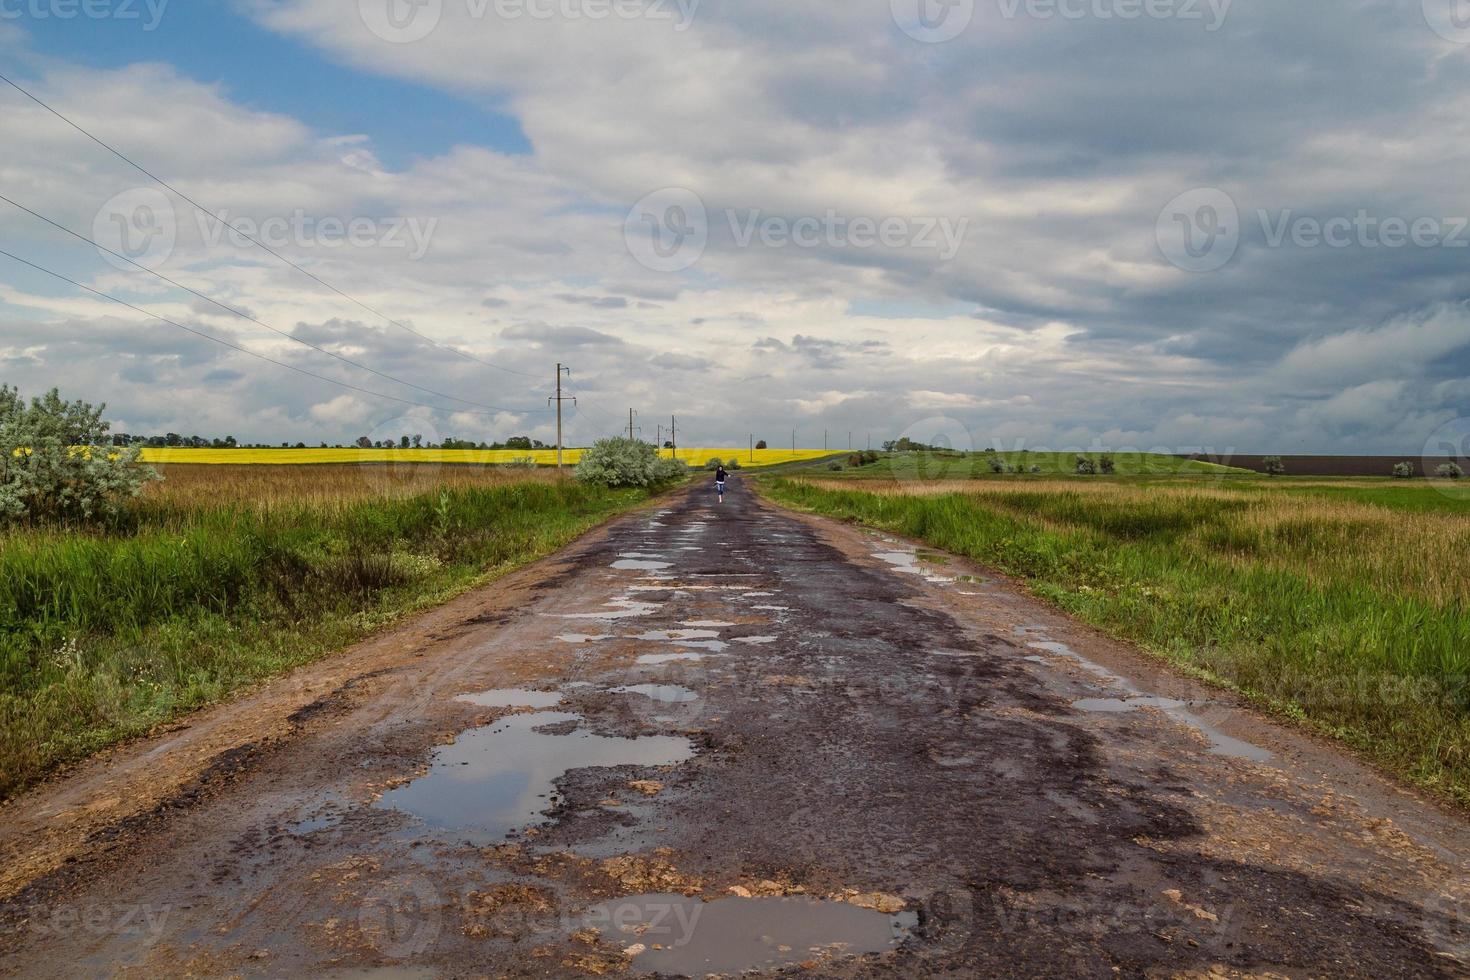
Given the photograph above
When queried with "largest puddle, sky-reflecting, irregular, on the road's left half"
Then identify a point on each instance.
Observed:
(498, 779)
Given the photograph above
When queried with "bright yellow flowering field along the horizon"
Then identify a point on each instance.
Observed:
(481, 458)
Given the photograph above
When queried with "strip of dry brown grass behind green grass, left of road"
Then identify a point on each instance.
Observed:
(268, 487)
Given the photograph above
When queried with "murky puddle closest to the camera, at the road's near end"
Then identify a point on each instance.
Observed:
(684, 937)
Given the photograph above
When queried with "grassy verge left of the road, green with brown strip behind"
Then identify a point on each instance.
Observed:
(221, 577)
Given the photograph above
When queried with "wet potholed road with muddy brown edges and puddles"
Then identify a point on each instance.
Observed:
(727, 738)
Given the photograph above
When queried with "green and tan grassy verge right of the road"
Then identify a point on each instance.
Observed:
(1341, 605)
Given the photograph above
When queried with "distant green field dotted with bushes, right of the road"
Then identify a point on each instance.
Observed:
(955, 466)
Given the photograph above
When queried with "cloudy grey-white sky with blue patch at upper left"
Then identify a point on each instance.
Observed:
(1178, 226)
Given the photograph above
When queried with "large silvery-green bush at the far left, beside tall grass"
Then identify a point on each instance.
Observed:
(54, 465)
